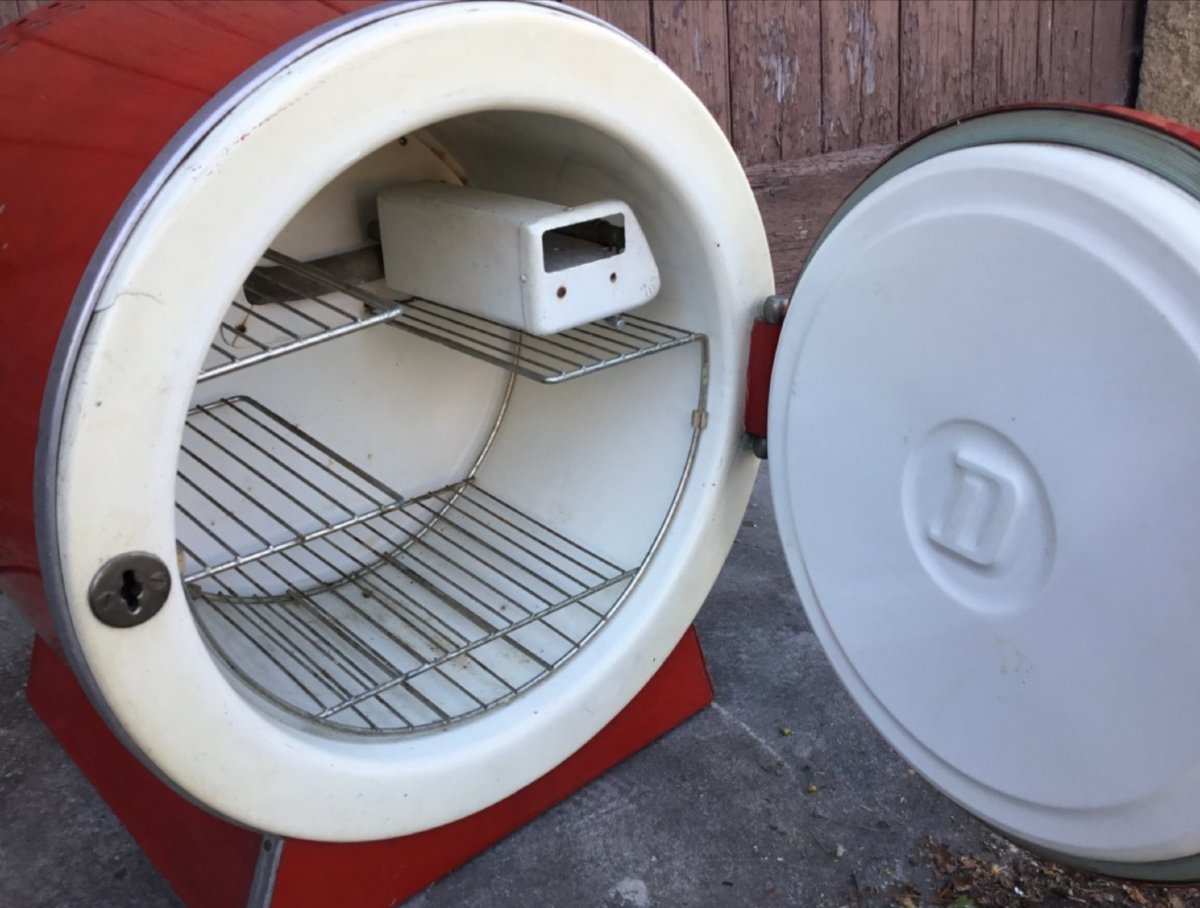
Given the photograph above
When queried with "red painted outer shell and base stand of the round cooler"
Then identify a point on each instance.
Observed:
(92, 93)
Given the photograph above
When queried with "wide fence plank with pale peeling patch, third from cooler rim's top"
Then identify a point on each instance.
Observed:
(775, 79)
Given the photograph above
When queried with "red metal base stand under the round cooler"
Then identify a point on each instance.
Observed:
(213, 864)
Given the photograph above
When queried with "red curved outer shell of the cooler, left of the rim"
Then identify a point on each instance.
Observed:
(91, 93)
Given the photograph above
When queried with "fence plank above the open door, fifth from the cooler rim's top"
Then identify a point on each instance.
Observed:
(935, 63)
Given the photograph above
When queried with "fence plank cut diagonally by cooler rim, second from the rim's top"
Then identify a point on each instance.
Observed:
(692, 38)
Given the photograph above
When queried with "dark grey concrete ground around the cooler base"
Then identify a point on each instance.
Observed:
(719, 813)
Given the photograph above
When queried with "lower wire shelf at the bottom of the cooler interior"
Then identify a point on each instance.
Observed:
(349, 606)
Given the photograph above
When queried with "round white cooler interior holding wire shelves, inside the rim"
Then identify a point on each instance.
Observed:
(394, 514)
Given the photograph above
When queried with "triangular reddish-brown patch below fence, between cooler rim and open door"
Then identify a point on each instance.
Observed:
(796, 200)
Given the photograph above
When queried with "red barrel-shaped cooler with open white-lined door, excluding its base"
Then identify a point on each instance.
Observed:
(394, 430)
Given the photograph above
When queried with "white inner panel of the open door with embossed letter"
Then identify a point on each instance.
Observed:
(986, 449)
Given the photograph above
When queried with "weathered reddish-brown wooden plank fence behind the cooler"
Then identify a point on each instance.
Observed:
(814, 93)
